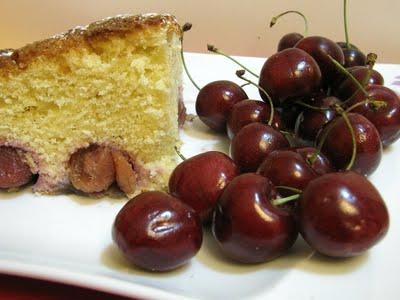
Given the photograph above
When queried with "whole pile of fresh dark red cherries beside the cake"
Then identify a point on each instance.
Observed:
(299, 163)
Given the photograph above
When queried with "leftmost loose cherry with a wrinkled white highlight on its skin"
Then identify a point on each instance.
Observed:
(157, 232)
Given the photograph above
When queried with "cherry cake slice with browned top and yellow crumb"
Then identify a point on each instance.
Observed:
(95, 106)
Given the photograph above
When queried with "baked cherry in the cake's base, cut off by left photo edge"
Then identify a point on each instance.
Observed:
(14, 170)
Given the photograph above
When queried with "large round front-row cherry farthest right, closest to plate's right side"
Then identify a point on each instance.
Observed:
(342, 214)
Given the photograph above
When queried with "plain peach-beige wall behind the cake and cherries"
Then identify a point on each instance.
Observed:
(236, 26)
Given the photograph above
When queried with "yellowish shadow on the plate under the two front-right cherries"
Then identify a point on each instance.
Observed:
(300, 257)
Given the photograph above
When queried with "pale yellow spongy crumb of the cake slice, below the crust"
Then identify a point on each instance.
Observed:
(119, 90)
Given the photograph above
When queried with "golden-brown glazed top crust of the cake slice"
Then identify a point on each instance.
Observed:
(12, 60)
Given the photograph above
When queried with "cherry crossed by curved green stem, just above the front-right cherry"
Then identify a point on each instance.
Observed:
(338, 146)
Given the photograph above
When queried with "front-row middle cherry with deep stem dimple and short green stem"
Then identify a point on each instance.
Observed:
(247, 227)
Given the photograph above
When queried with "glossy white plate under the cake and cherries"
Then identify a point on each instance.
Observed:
(67, 238)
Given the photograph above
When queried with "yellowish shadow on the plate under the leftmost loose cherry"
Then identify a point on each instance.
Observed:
(112, 258)
